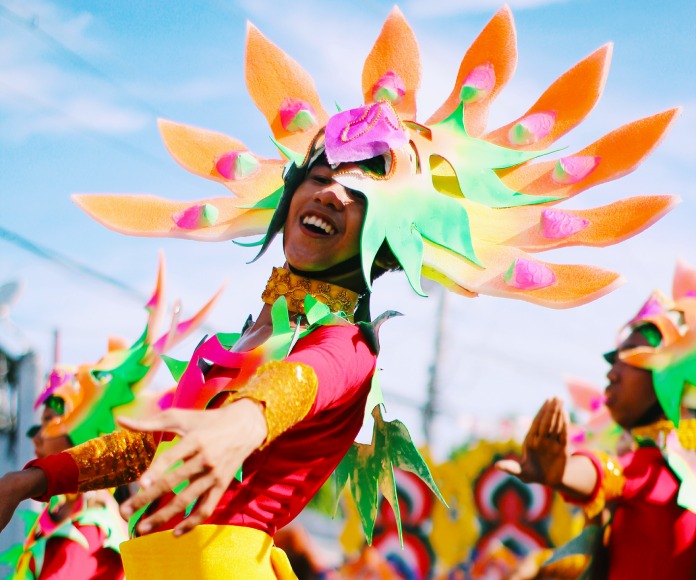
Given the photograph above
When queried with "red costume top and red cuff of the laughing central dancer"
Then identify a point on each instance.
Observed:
(280, 479)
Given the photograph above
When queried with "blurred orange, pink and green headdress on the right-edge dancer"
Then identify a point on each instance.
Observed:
(672, 358)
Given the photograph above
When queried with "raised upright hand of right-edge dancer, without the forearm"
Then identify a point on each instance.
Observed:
(545, 451)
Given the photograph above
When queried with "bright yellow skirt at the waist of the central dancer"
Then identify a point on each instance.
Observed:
(206, 552)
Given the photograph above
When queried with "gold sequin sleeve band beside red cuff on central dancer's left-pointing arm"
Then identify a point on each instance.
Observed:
(113, 460)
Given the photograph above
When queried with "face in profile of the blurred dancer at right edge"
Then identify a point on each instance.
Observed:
(630, 393)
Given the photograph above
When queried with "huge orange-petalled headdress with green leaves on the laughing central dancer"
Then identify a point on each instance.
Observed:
(459, 204)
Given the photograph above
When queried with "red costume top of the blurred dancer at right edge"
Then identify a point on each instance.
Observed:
(651, 536)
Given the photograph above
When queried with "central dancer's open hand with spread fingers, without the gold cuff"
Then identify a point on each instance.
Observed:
(213, 446)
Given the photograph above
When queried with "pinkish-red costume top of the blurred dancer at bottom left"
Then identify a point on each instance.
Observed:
(67, 560)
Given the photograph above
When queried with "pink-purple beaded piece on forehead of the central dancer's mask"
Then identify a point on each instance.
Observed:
(362, 133)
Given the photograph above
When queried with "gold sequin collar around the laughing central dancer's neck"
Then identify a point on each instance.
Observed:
(295, 288)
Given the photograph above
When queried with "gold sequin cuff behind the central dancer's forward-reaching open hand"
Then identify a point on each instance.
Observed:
(287, 391)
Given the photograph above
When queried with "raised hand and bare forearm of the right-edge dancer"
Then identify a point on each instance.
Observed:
(546, 457)
